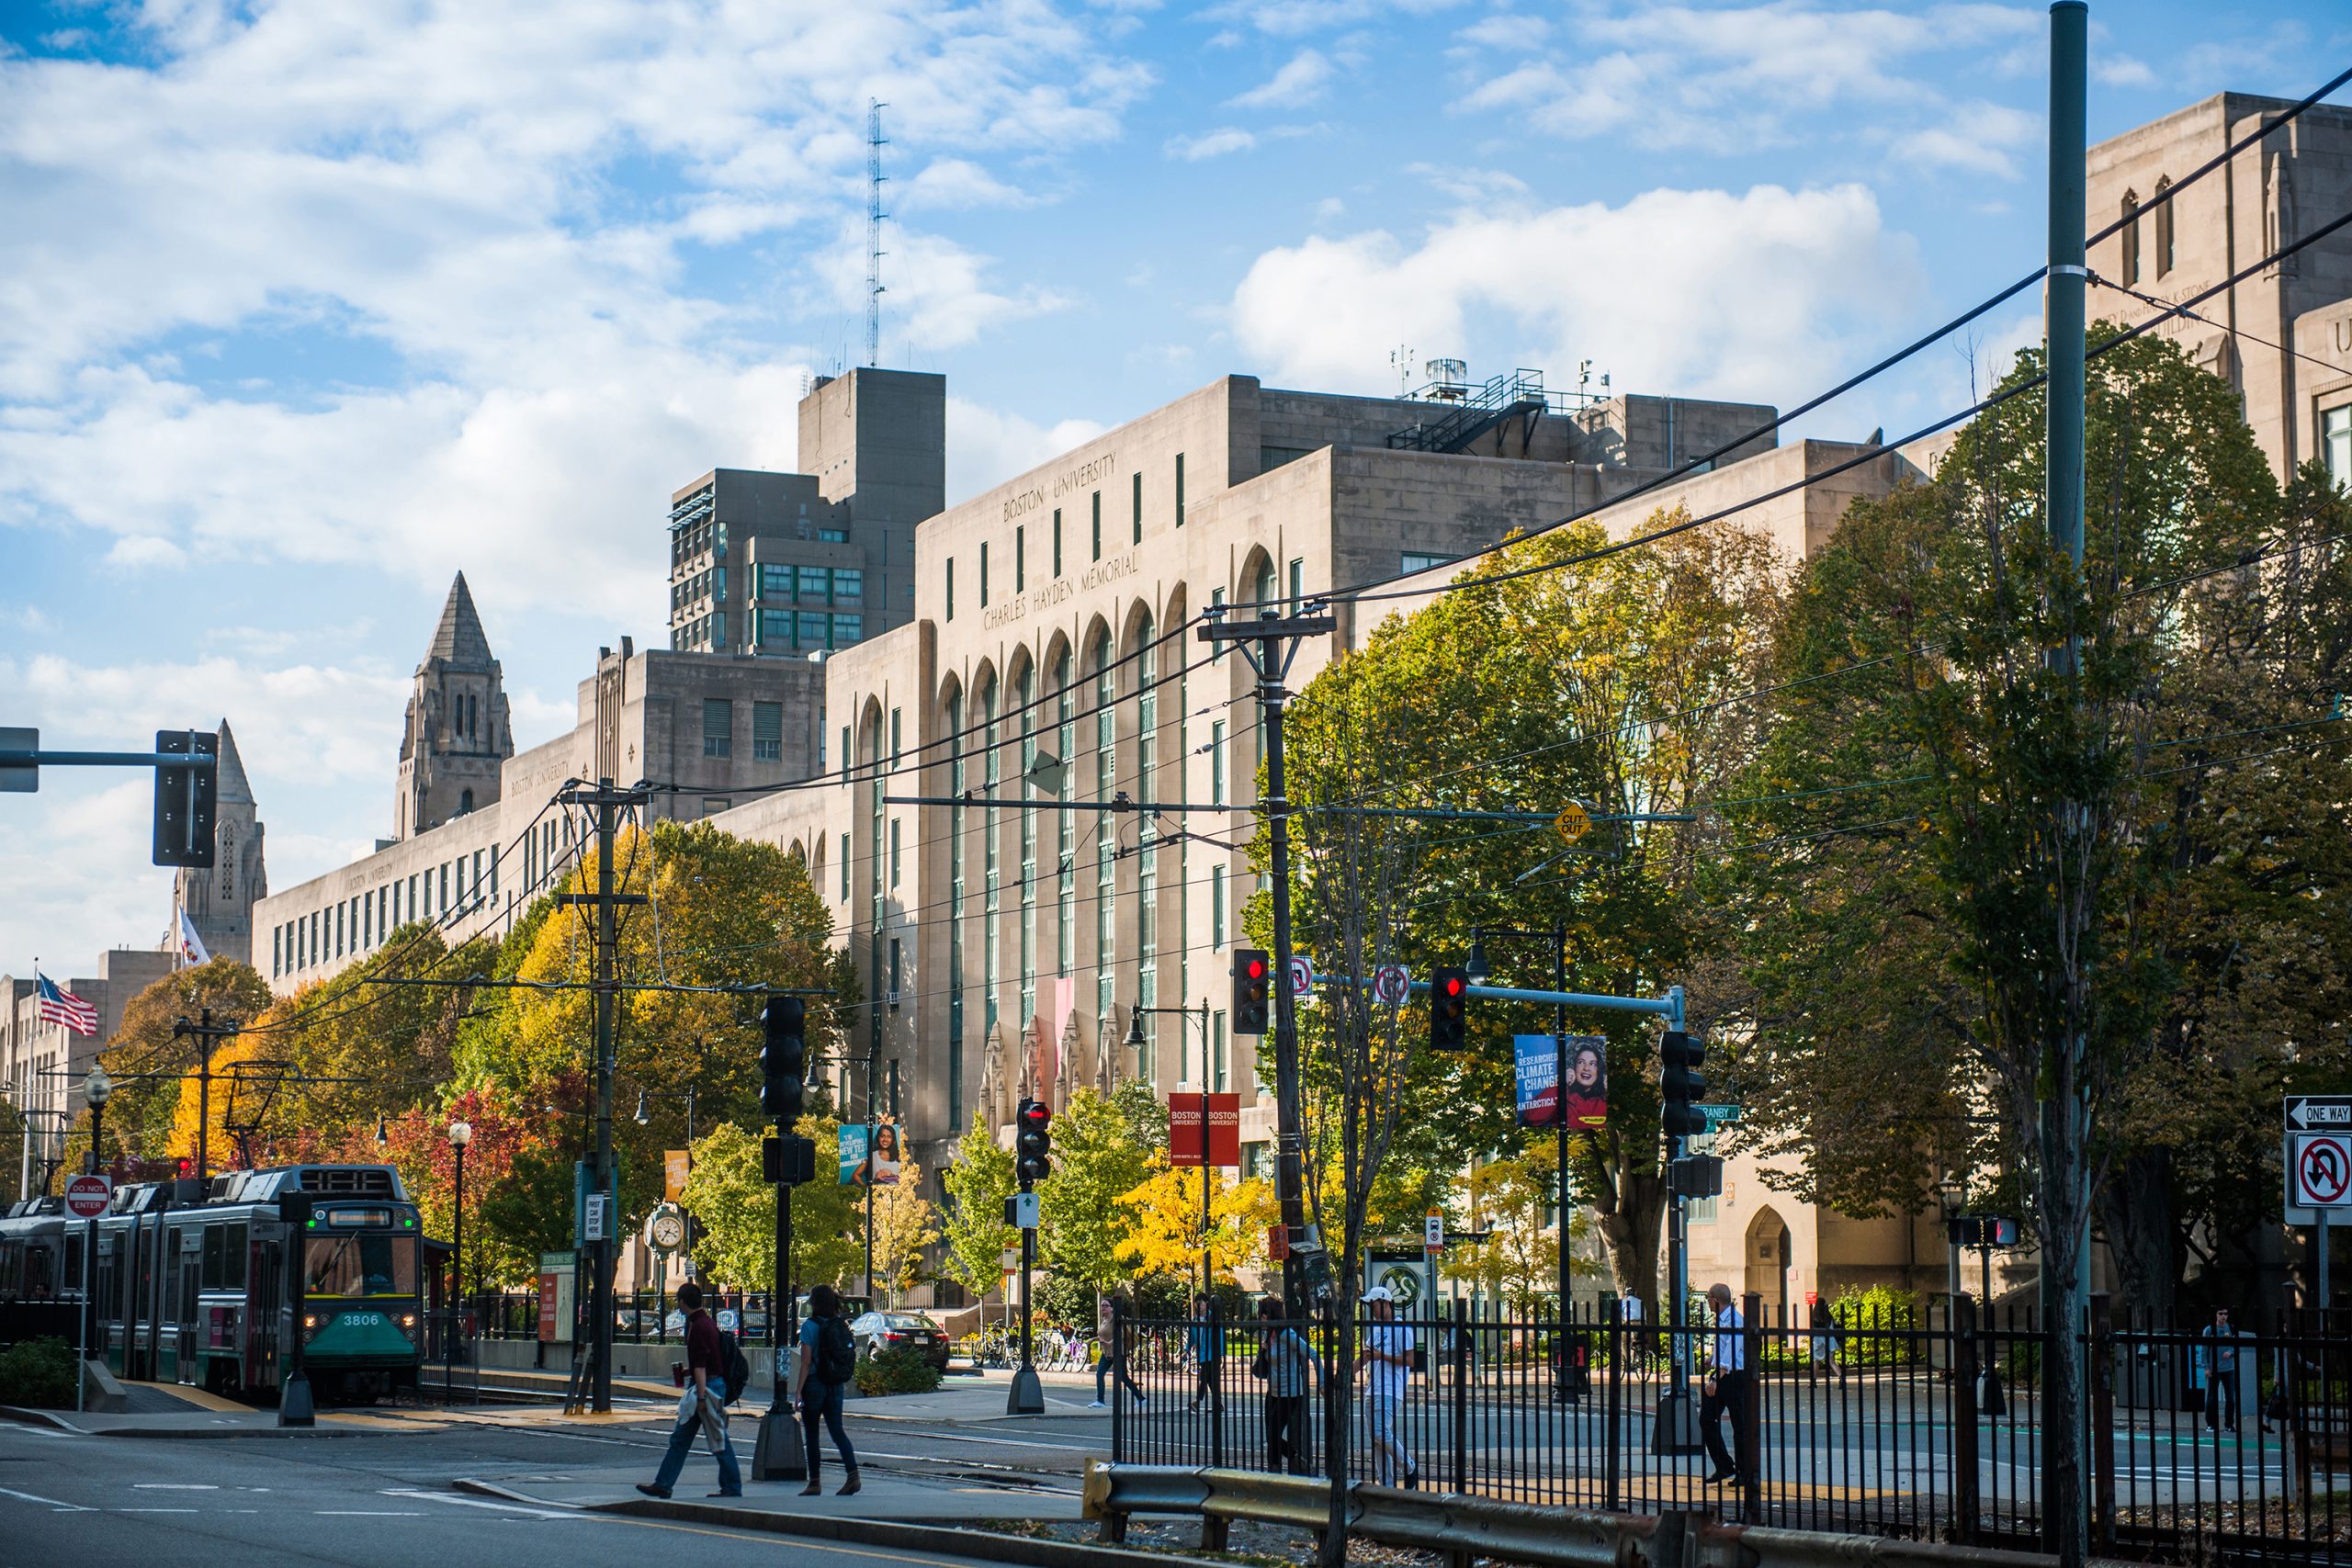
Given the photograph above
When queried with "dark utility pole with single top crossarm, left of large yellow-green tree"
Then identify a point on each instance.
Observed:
(1271, 645)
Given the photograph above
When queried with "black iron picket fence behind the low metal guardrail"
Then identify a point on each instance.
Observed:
(2203, 1447)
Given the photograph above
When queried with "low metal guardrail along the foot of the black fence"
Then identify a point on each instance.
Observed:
(1466, 1527)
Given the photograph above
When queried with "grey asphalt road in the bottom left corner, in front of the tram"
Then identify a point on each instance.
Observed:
(363, 1501)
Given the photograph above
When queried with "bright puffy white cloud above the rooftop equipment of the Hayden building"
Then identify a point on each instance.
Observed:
(1662, 293)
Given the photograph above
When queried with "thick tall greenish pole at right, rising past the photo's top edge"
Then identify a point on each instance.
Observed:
(2064, 1170)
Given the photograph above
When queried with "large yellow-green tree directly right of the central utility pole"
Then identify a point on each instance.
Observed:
(1608, 681)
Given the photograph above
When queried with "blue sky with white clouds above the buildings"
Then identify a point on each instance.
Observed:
(309, 304)
